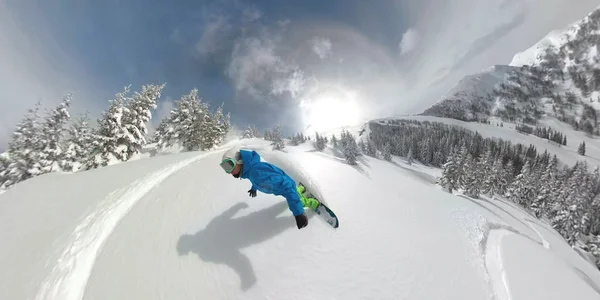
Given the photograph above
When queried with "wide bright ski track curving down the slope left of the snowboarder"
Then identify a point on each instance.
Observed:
(69, 277)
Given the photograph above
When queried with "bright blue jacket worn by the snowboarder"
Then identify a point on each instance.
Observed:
(269, 179)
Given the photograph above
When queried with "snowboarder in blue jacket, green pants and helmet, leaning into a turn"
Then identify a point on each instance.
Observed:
(269, 179)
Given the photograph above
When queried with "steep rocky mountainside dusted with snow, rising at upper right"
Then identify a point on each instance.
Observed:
(559, 77)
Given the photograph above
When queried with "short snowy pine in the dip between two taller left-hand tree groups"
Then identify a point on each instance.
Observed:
(78, 144)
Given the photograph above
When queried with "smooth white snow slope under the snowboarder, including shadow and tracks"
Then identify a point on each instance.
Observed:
(177, 227)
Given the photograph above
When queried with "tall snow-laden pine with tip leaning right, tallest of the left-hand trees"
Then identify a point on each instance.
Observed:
(139, 109)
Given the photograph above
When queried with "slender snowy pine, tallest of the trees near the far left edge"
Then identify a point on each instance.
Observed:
(52, 155)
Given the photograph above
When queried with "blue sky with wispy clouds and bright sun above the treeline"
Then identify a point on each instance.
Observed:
(267, 61)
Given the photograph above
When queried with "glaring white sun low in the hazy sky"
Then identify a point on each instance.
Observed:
(331, 109)
